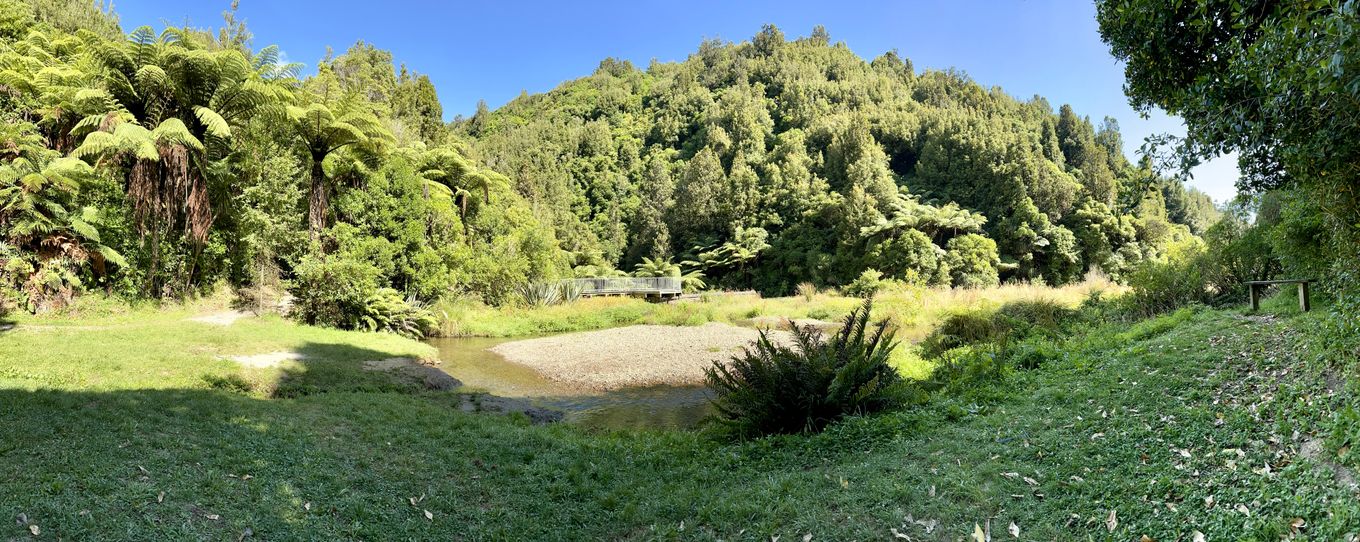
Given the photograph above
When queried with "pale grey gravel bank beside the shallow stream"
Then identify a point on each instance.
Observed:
(633, 357)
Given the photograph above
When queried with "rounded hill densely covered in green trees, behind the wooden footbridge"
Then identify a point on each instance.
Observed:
(773, 162)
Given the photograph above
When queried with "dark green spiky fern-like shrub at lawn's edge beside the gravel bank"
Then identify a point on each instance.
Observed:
(779, 389)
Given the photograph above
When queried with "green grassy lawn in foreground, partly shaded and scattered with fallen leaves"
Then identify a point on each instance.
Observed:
(111, 431)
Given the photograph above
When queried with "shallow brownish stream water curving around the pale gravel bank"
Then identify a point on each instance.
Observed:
(471, 362)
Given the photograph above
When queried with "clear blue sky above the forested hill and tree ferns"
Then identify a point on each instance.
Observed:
(494, 51)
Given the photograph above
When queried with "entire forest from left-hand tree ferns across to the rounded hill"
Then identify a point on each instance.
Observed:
(163, 164)
